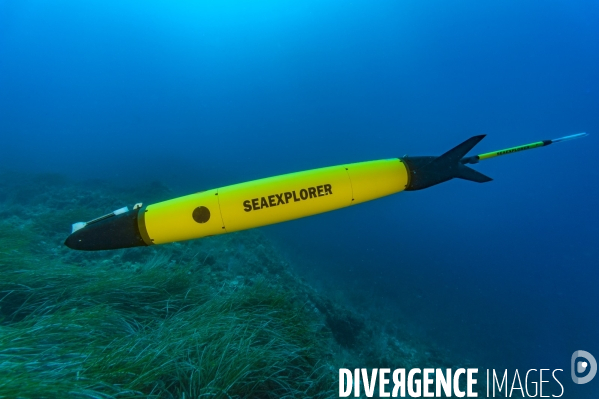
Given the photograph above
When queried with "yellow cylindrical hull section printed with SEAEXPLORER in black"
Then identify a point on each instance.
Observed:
(271, 200)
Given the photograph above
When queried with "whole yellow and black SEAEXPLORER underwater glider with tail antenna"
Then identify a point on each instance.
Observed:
(281, 198)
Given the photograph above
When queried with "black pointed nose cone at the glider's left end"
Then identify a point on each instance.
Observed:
(120, 231)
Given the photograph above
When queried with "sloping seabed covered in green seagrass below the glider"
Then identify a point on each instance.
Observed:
(222, 317)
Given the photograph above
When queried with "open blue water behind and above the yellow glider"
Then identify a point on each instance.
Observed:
(201, 95)
